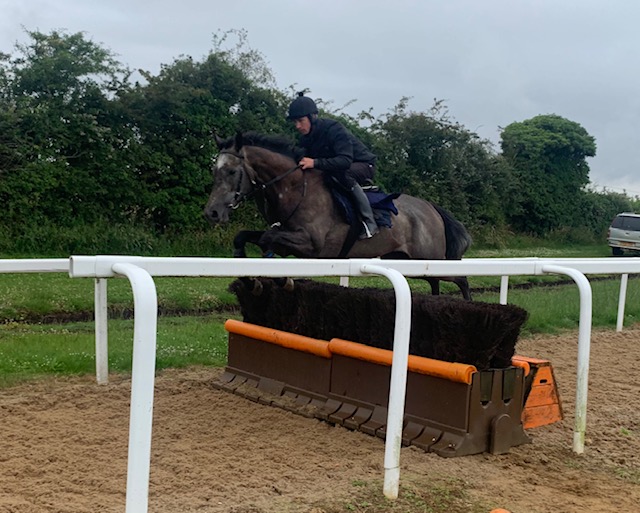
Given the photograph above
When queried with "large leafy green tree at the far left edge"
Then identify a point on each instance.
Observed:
(63, 140)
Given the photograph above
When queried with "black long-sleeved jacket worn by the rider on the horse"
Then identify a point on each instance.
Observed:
(333, 147)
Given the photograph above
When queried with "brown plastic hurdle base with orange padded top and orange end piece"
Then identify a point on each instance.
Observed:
(451, 409)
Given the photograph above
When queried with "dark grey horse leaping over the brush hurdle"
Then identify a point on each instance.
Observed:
(305, 220)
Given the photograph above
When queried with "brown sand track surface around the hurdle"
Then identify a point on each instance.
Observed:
(64, 446)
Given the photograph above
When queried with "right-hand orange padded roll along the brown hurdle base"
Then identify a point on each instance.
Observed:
(459, 372)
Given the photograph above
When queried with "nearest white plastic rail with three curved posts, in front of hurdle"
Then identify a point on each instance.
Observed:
(142, 389)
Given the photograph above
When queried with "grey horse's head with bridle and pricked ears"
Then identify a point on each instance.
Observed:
(231, 182)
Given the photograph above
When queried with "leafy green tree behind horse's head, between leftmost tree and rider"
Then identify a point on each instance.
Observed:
(174, 115)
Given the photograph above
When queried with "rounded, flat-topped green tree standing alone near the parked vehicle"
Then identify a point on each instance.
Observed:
(548, 155)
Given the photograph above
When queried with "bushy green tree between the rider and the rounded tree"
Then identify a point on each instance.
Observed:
(430, 156)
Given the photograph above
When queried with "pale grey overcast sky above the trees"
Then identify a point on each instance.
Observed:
(494, 62)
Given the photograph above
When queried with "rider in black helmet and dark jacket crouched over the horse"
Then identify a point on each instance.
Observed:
(331, 148)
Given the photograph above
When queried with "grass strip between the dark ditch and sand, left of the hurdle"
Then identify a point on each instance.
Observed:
(28, 351)
